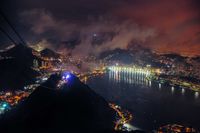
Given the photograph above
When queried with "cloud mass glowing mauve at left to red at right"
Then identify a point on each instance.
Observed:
(161, 26)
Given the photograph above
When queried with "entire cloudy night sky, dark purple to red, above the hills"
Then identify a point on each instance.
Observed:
(92, 26)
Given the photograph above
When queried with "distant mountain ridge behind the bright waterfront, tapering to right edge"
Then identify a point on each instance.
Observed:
(142, 56)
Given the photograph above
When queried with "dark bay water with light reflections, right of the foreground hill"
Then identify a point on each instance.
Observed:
(152, 104)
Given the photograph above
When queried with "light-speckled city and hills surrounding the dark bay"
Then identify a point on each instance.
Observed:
(172, 69)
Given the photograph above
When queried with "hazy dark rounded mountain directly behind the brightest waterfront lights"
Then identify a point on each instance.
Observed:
(134, 54)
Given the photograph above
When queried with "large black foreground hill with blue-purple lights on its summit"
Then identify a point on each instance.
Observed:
(73, 109)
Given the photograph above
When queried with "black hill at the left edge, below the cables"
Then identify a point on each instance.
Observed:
(16, 71)
